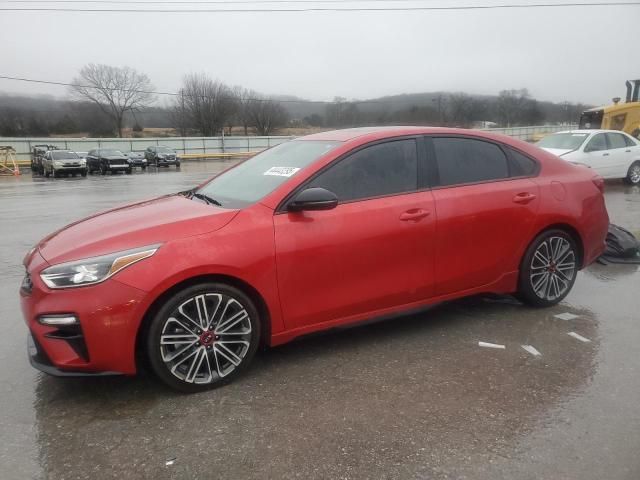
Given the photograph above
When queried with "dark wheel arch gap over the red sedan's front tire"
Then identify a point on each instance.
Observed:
(242, 285)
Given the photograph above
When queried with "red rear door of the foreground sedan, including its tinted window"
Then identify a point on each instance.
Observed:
(486, 203)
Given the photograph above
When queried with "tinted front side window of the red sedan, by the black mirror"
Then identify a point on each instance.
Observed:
(383, 169)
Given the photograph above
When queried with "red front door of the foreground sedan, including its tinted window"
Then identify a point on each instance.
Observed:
(371, 253)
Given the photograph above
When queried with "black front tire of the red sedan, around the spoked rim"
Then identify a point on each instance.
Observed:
(164, 318)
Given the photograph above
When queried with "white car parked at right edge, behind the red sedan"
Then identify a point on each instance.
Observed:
(611, 153)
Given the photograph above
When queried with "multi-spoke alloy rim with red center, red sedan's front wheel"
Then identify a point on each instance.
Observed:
(205, 338)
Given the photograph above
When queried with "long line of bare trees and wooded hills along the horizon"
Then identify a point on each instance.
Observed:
(105, 99)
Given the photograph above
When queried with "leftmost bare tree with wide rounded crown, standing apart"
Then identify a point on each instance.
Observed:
(116, 90)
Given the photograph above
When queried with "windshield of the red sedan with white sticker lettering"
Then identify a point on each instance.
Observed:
(260, 175)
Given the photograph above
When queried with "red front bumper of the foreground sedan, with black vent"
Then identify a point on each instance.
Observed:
(109, 314)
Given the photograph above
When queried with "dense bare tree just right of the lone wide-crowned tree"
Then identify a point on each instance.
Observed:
(210, 103)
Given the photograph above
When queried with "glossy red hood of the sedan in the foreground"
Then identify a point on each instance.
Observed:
(136, 225)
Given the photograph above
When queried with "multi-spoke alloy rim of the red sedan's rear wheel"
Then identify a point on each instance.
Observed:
(553, 267)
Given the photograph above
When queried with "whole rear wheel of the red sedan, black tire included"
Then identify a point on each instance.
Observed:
(544, 286)
